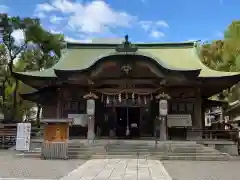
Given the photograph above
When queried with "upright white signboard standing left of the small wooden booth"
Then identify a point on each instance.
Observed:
(23, 136)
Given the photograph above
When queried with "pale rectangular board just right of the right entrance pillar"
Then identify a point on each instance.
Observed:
(179, 120)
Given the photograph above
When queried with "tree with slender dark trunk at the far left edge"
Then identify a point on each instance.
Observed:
(9, 25)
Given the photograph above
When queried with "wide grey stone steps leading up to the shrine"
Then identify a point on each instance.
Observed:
(117, 149)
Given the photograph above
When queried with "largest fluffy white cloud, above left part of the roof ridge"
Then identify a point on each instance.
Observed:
(94, 17)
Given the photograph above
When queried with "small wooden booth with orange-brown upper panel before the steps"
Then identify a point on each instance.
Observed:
(56, 134)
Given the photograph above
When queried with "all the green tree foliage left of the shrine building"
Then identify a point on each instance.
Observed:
(37, 51)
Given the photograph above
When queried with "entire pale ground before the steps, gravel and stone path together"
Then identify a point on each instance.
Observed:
(15, 168)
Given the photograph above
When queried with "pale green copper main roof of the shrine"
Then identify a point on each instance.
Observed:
(173, 56)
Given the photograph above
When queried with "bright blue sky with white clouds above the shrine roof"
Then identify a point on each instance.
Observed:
(142, 20)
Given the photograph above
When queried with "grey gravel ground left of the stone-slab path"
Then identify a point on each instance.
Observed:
(16, 167)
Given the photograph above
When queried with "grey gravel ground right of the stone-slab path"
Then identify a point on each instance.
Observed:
(203, 170)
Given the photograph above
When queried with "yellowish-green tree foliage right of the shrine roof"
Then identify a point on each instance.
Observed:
(224, 55)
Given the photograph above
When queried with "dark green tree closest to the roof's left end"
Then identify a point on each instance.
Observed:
(44, 53)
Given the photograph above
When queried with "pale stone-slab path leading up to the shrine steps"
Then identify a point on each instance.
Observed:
(119, 169)
